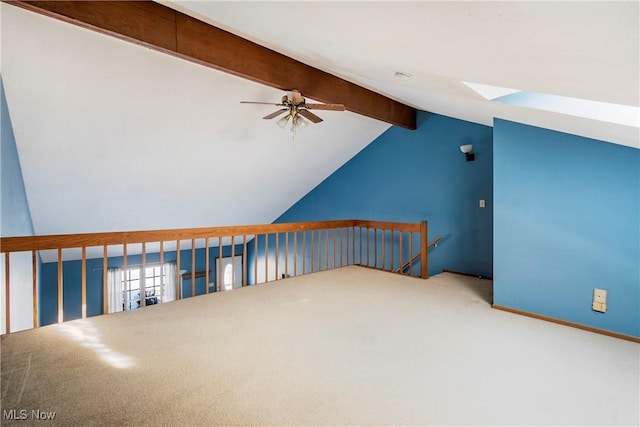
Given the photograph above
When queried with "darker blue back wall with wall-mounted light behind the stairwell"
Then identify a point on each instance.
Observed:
(409, 176)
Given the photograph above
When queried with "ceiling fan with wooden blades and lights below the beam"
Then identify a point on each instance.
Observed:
(297, 110)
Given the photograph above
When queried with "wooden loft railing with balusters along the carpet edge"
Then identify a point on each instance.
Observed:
(269, 252)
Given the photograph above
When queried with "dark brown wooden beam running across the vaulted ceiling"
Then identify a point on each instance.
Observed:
(161, 28)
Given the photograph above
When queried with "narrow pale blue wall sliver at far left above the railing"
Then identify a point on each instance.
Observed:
(15, 216)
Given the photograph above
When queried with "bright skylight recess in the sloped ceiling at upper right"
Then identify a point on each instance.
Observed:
(603, 111)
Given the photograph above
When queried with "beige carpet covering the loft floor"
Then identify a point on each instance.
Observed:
(351, 346)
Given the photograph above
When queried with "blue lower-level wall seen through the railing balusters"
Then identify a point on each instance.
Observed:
(72, 280)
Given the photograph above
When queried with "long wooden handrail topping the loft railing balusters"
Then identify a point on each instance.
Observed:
(67, 241)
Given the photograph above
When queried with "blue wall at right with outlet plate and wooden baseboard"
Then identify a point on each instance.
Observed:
(566, 221)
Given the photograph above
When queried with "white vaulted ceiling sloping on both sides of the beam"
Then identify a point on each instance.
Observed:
(114, 136)
